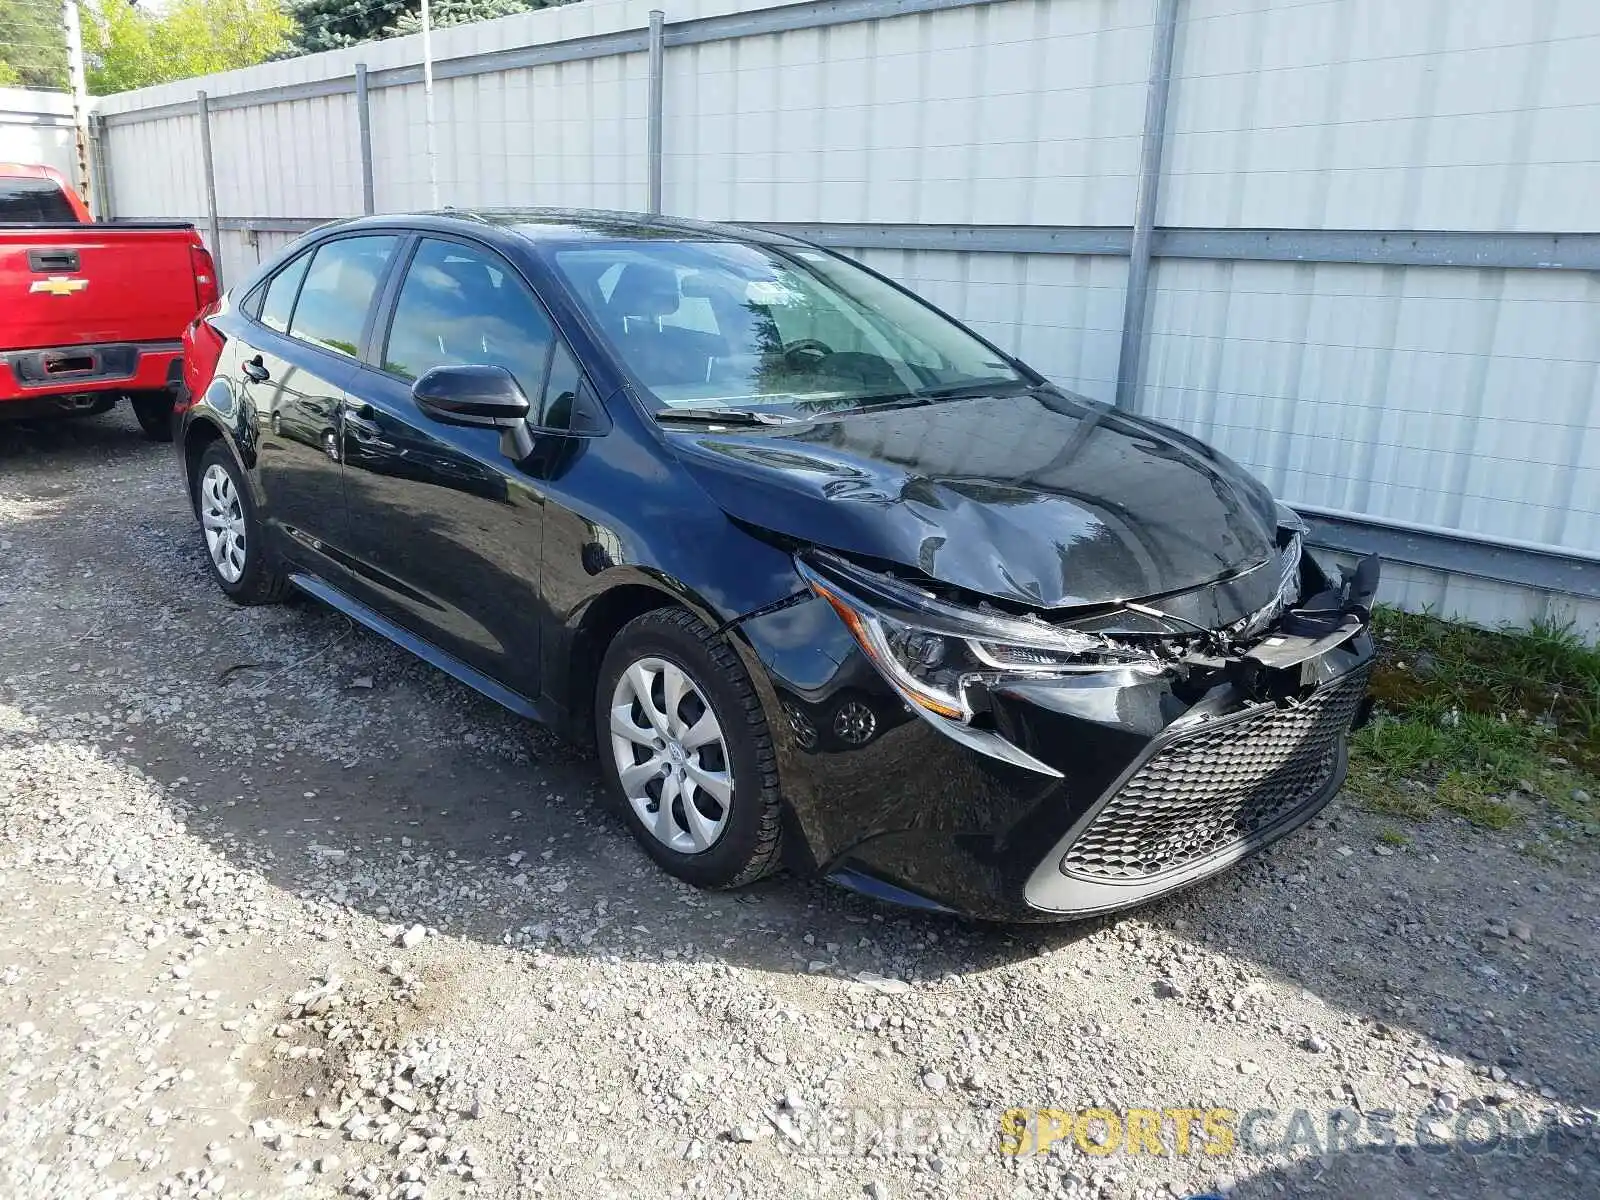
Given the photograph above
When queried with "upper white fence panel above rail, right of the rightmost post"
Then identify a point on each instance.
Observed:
(1386, 114)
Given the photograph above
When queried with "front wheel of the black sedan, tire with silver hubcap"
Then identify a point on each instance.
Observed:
(686, 751)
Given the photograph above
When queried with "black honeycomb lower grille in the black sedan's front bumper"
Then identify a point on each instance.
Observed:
(1215, 788)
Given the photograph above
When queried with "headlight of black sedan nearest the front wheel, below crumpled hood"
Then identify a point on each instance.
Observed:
(937, 655)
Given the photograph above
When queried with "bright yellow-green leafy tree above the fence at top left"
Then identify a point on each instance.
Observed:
(129, 47)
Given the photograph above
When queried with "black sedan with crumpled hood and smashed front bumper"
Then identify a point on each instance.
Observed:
(826, 578)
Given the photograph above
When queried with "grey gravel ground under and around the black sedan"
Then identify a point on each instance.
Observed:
(286, 913)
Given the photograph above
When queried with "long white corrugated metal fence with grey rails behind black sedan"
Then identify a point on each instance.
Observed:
(1362, 238)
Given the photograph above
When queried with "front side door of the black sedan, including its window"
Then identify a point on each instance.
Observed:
(446, 530)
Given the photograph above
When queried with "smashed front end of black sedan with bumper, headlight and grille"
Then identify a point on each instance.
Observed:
(1106, 756)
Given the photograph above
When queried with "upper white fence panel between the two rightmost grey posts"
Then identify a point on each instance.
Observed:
(998, 114)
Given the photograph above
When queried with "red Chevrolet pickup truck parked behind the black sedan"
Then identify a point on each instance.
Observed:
(92, 313)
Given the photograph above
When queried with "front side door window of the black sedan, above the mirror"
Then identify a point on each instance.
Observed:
(465, 306)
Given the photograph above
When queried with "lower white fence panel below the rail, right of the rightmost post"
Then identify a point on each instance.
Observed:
(1463, 399)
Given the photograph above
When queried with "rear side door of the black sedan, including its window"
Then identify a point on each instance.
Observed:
(295, 361)
